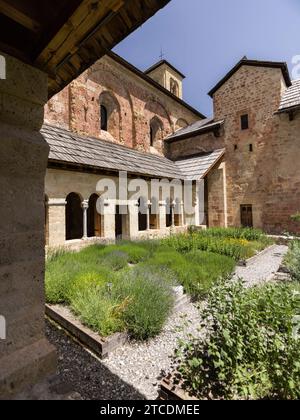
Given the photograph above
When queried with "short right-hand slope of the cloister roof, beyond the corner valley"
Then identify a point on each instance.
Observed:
(197, 167)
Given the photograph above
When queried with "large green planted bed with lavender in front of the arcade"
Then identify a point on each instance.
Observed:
(130, 286)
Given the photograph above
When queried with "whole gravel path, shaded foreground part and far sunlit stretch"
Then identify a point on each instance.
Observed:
(135, 370)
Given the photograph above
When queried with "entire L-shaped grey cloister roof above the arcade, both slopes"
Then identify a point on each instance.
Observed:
(70, 148)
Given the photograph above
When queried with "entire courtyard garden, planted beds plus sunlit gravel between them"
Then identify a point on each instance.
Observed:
(243, 343)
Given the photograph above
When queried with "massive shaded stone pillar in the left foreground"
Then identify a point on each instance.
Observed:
(25, 355)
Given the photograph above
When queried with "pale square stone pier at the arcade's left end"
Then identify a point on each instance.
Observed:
(57, 221)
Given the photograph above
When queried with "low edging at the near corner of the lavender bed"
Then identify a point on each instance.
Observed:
(102, 347)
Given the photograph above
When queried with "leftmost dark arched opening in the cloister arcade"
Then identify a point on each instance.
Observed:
(74, 217)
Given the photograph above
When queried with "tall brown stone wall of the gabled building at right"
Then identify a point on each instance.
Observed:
(267, 177)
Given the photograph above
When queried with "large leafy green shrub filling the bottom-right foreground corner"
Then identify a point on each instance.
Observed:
(250, 351)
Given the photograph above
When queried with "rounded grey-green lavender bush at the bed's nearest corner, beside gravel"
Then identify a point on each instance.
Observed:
(150, 301)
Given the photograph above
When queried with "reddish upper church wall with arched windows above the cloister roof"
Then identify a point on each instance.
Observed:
(134, 100)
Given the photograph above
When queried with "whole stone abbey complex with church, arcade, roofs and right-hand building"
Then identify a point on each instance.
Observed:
(116, 118)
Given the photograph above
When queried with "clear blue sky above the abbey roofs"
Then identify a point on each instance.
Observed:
(206, 38)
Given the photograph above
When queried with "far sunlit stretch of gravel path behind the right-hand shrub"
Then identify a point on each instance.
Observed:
(264, 268)
